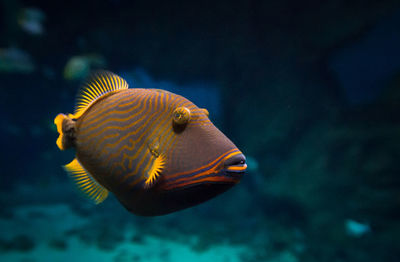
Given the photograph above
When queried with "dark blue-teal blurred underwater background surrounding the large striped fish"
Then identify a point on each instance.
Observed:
(308, 90)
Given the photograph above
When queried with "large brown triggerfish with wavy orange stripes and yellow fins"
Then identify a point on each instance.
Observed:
(154, 150)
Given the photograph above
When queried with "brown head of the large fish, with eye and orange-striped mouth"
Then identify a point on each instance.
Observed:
(201, 158)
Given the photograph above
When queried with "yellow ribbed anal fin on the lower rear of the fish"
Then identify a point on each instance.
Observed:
(85, 182)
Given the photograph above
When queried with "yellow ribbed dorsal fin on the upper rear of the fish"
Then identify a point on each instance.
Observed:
(97, 85)
